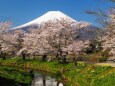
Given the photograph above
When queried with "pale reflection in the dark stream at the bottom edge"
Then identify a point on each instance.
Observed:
(42, 80)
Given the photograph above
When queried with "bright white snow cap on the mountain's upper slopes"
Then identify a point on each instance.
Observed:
(49, 16)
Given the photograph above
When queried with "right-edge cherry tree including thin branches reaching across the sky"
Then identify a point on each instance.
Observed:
(107, 20)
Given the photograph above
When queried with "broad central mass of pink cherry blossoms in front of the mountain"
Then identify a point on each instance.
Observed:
(54, 38)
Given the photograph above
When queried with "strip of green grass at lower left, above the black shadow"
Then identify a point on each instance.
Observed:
(19, 76)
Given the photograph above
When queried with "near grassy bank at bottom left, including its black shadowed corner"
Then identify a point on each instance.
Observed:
(14, 77)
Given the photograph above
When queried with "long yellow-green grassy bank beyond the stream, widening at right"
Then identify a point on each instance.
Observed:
(82, 75)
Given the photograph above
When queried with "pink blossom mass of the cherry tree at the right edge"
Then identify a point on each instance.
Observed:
(109, 38)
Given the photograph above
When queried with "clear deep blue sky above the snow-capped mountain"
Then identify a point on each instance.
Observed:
(23, 11)
